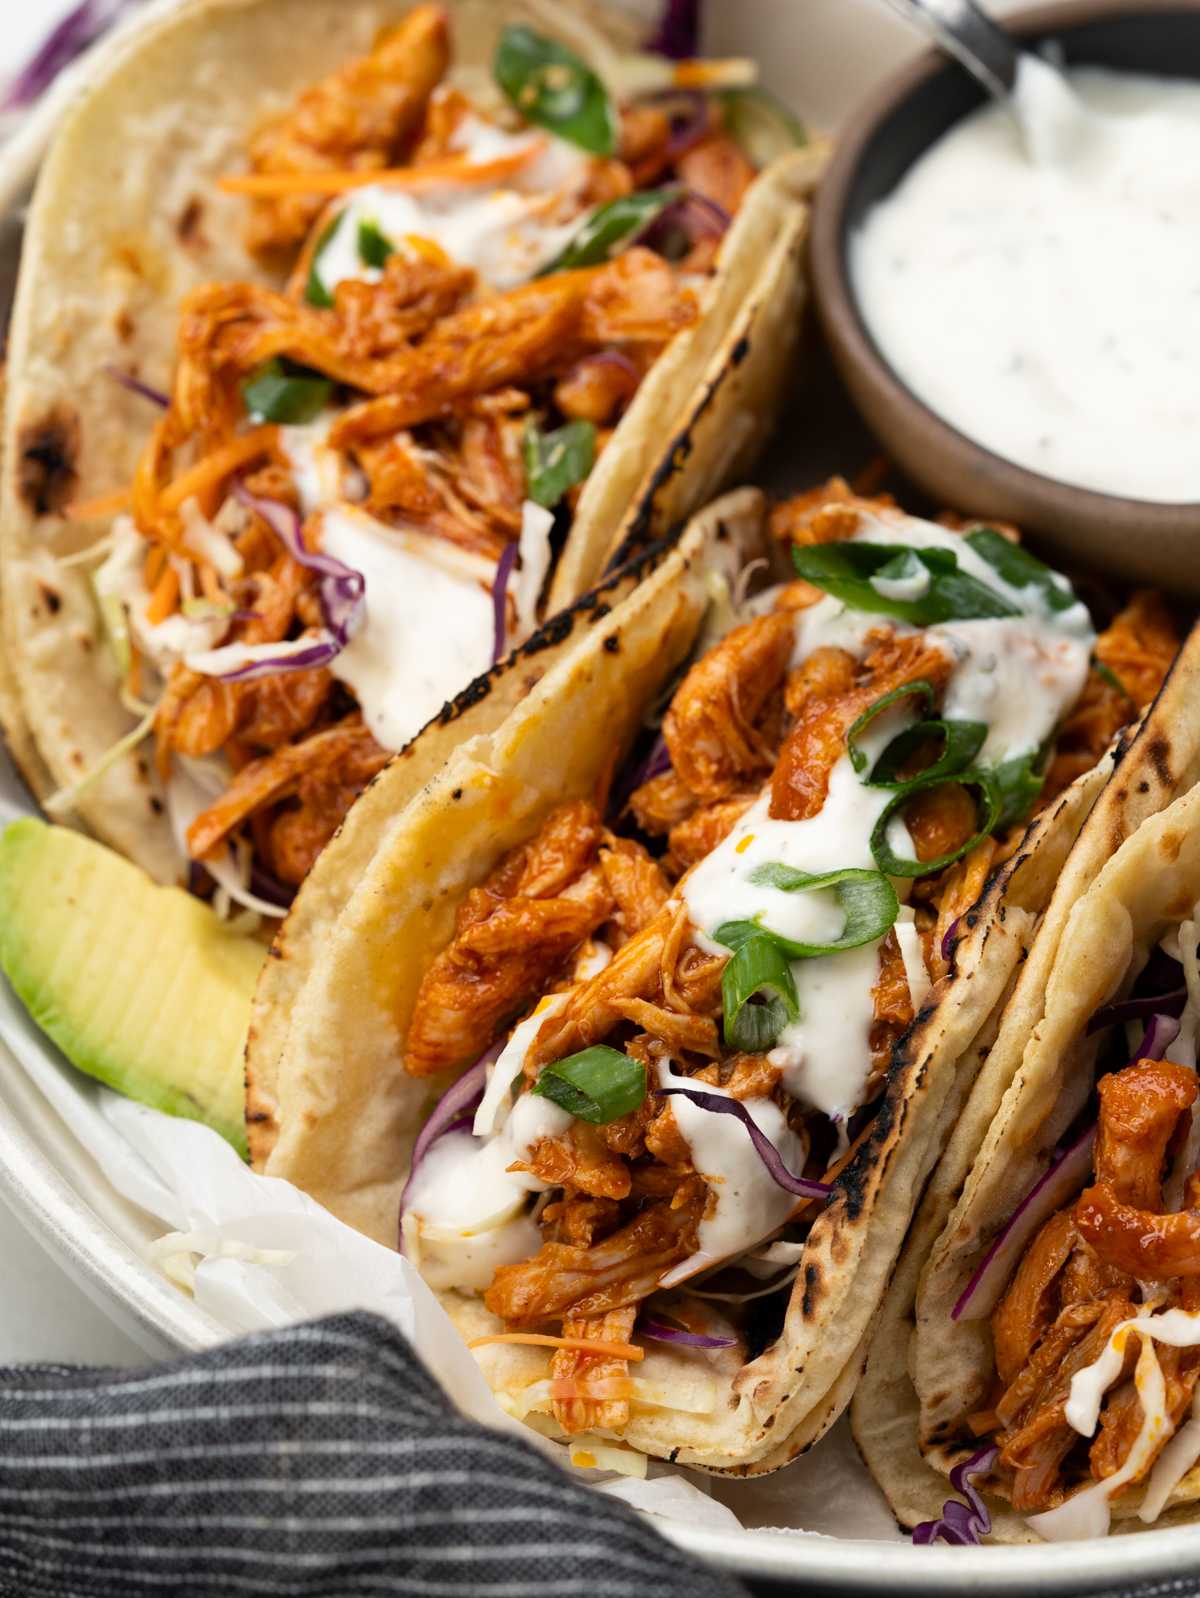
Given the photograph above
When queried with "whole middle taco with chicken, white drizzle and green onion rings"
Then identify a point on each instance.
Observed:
(667, 1202)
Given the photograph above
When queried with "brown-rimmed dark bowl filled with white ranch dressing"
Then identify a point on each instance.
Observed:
(1012, 292)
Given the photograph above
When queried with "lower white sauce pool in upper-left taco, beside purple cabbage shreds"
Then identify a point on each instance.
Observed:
(429, 626)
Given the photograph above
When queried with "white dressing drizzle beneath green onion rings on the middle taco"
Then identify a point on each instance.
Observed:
(1017, 675)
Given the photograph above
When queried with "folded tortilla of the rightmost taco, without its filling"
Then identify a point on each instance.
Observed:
(1111, 899)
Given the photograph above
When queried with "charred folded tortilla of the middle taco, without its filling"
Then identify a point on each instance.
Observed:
(341, 1115)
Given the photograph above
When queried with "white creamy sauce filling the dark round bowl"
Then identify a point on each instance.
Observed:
(1039, 287)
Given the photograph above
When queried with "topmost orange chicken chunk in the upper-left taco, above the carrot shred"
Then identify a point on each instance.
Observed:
(356, 119)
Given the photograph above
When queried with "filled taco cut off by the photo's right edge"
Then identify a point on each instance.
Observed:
(999, 1294)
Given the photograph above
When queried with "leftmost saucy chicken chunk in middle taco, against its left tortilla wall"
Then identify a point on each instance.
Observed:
(514, 936)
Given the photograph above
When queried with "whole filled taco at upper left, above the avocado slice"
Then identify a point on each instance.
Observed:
(495, 290)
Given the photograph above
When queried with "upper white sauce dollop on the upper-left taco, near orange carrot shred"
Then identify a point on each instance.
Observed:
(507, 231)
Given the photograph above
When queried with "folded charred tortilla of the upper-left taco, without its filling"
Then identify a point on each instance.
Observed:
(127, 220)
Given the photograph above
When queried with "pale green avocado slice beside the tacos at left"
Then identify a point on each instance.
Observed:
(138, 985)
